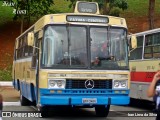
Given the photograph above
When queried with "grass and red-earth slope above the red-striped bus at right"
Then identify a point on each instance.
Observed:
(137, 15)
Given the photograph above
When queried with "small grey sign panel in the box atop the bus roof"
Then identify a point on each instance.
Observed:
(86, 7)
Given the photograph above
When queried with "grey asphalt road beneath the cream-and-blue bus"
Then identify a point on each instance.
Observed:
(116, 113)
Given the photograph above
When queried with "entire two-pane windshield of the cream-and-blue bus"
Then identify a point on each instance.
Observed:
(69, 46)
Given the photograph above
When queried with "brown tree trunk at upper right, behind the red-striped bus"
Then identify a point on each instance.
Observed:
(151, 13)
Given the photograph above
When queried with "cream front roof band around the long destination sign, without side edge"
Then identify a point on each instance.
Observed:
(61, 18)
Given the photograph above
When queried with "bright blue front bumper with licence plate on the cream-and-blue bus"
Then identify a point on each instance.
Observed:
(84, 100)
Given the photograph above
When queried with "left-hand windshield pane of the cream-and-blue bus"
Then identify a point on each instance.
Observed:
(65, 46)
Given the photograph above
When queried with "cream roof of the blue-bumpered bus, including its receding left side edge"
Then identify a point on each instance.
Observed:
(62, 19)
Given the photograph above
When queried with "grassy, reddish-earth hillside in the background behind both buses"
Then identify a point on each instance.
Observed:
(135, 15)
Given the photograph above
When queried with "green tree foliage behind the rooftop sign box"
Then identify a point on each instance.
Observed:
(107, 7)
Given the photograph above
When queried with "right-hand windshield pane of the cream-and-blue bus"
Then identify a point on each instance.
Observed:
(108, 48)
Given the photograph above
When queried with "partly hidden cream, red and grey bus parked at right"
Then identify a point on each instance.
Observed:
(144, 62)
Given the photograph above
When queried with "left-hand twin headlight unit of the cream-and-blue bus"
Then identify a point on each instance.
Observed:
(56, 83)
